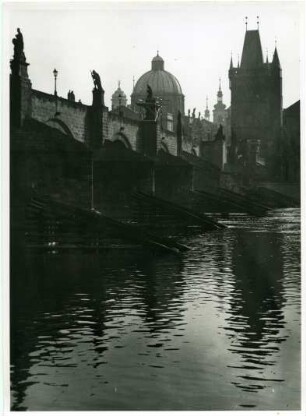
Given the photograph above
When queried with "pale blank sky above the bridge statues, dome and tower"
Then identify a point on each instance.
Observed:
(119, 40)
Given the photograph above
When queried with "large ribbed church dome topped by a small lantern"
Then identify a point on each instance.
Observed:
(161, 81)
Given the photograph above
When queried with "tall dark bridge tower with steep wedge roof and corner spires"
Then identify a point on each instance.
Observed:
(256, 102)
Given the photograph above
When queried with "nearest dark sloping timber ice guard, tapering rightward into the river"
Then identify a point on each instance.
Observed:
(59, 225)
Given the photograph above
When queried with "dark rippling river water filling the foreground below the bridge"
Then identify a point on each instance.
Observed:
(217, 329)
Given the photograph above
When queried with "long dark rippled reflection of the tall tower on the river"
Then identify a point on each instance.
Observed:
(256, 316)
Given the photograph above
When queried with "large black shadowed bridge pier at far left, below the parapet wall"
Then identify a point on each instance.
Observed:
(47, 162)
